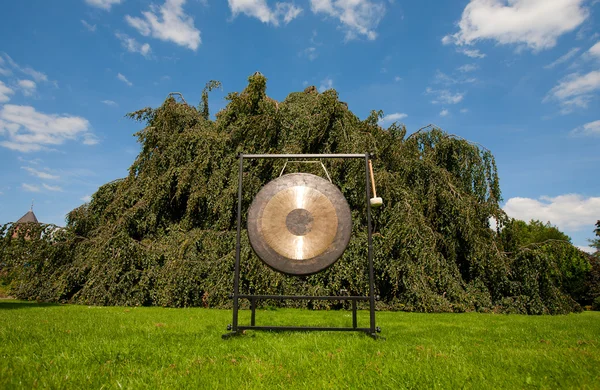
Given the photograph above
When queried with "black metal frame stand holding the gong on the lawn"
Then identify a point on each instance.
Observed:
(236, 329)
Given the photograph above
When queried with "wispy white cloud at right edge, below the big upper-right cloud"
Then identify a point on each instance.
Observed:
(575, 90)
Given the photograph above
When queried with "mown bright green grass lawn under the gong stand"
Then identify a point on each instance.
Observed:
(66, 346)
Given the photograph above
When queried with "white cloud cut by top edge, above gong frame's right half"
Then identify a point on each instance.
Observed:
(357, 17)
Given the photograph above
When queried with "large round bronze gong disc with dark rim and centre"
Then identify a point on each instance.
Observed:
(299, 224)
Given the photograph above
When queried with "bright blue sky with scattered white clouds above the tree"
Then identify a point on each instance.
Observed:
(521, 77)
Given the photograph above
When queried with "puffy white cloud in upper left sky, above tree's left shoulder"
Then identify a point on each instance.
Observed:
(173, 24)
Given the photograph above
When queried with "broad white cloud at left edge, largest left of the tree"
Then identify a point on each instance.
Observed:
(28, 130)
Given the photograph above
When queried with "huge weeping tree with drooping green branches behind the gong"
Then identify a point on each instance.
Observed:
(165, 234)
